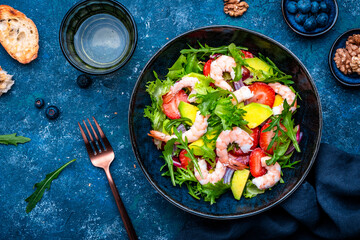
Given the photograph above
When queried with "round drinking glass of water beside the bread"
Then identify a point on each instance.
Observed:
(82, 34)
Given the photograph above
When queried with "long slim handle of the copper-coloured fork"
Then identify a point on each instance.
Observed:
(124, 216)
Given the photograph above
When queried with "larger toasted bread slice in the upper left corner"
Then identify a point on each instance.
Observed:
(18, 35)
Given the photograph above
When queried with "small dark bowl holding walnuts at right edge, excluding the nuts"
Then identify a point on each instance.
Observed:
(351, 80)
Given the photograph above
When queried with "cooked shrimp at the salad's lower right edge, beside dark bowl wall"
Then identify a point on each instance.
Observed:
(272, 176)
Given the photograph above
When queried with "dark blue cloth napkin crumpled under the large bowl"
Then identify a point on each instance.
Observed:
(325, 206)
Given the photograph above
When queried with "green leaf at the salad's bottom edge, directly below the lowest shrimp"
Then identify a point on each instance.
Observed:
(210, 192)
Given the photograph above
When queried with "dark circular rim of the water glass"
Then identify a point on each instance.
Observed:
(108, 71)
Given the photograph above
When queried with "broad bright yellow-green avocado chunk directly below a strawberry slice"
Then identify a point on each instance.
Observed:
(256, 113)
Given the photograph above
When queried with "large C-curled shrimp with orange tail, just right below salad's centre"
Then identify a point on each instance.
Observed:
(226, 137)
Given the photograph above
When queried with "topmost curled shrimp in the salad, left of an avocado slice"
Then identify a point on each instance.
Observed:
(218, 67)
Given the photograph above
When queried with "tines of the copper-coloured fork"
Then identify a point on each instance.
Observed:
(97, 145)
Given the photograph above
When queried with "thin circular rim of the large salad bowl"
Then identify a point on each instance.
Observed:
(163, 193)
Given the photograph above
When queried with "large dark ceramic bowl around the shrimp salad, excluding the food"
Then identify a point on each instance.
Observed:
(309, 117)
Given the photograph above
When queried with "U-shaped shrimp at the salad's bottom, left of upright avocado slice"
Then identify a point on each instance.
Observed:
(213, 177)
